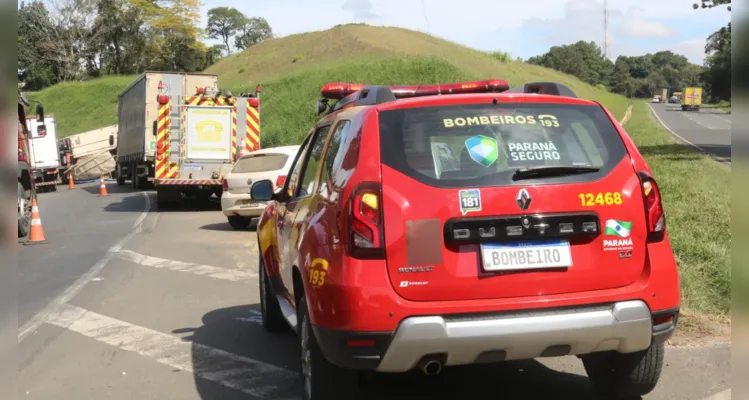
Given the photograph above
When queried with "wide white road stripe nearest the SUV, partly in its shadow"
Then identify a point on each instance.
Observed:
(231, 370)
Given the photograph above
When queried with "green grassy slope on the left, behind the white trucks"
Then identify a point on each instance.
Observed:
(82, 106)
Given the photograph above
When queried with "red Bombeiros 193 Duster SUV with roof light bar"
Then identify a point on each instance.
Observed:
(443, 225)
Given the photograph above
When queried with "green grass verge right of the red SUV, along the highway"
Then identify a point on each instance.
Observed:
(697, 198)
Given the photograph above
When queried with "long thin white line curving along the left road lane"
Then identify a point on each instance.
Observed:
(38, 319)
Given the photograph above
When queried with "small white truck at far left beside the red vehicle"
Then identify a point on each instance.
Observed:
(44, 155)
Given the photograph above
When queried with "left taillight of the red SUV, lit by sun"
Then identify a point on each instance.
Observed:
(366, 239)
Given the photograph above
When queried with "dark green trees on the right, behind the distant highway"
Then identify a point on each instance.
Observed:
(644, 76)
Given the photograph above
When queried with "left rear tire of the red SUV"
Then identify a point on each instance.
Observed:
(321, 380)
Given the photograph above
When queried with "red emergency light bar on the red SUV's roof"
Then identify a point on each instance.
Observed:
(337, 91)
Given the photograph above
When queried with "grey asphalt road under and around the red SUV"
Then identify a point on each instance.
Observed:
(172, 313)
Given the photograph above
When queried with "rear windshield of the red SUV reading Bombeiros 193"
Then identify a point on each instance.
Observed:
(483, 144)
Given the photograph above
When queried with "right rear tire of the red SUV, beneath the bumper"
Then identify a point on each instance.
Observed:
(625, 375)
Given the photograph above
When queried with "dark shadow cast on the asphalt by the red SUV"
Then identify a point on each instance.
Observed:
(237, 330)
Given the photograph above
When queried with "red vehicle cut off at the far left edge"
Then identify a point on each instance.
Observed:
(26, 186)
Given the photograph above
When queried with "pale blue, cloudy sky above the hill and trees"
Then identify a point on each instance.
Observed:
(522, 28)
